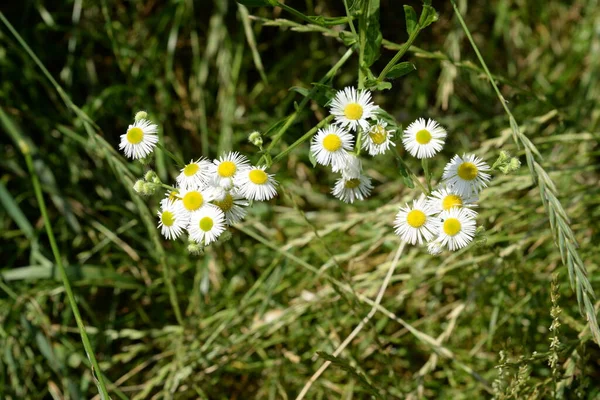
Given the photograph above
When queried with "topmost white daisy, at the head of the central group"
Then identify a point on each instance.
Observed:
(353, 108)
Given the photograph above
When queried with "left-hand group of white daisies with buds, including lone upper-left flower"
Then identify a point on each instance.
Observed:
(208, 195)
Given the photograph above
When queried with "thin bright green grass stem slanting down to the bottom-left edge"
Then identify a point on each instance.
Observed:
(96, 372)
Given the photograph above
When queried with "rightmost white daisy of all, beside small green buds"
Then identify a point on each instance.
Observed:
(467, 175)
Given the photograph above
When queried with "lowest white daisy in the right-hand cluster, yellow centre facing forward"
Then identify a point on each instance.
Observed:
(457, 228)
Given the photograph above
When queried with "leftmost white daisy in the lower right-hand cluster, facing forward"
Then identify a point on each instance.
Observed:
(417, 223)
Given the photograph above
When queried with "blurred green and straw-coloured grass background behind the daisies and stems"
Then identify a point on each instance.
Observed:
(292, 279)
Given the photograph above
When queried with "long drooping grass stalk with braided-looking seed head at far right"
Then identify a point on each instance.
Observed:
(559, 221)
